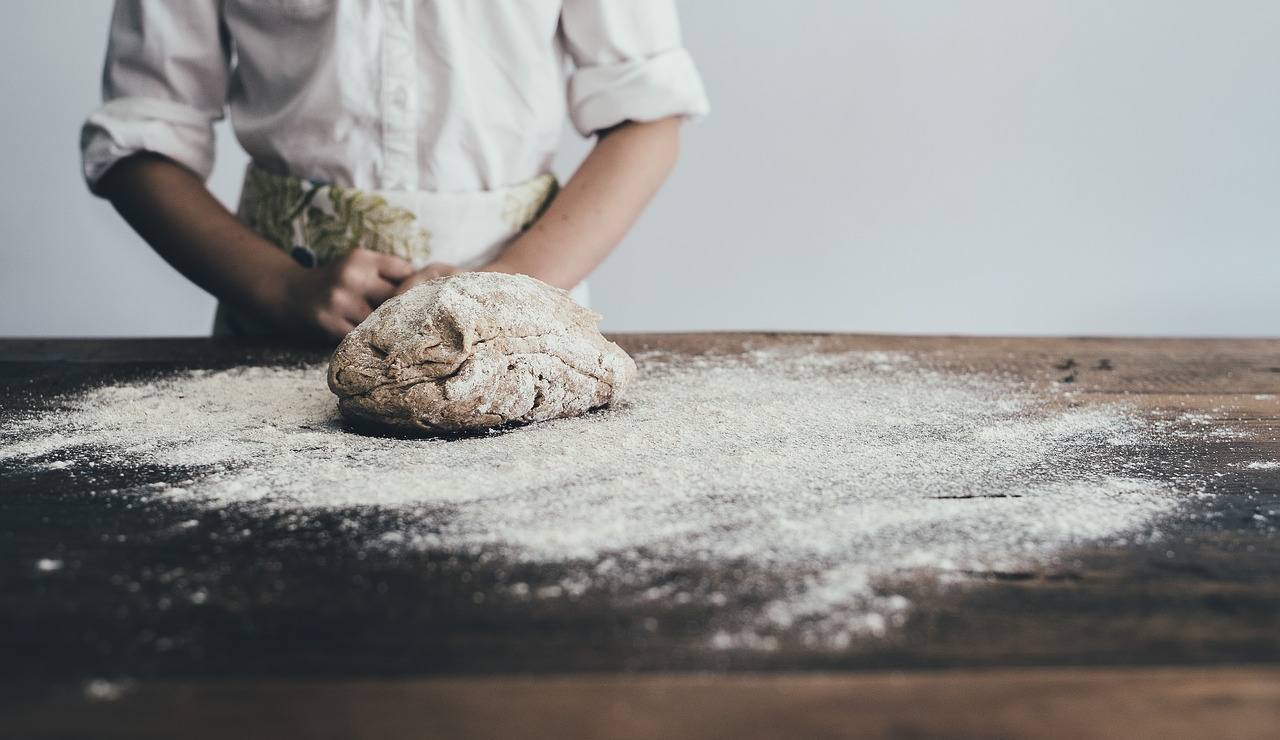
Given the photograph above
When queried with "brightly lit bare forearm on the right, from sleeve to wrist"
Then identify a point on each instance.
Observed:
(597, 207)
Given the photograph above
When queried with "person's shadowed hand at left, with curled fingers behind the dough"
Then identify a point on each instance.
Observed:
(330, 302)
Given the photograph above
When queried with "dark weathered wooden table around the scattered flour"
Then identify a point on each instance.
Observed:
(1137, 641)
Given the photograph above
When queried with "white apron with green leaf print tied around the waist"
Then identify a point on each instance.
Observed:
(317, 223)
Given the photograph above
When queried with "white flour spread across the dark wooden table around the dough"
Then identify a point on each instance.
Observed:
(845, 472)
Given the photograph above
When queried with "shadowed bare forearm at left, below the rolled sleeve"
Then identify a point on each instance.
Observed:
(173, 211)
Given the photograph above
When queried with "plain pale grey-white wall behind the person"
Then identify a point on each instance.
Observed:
(984, 167)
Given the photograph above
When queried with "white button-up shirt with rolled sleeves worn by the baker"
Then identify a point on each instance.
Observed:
(433, 95)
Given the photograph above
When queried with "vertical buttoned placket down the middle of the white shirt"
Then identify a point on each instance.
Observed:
(399, 97)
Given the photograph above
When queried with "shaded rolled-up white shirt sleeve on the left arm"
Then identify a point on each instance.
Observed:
(164, 85)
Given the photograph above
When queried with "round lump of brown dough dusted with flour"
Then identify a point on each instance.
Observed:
(474, 351)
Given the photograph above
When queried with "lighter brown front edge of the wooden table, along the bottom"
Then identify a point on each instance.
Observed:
(1069, 705)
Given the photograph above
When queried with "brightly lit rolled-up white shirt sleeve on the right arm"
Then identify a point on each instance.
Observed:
(629, 65)
